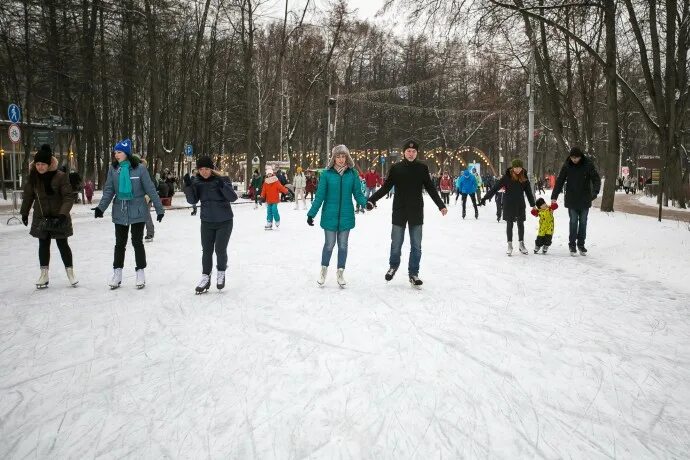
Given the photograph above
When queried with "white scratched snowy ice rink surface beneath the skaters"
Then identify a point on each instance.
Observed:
(544, 356)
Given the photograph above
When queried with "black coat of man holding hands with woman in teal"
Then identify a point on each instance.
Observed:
(408, 178)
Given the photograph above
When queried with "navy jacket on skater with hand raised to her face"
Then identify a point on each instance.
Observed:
(215, 193)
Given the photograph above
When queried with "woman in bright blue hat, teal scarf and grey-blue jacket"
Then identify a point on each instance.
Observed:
(127, 184)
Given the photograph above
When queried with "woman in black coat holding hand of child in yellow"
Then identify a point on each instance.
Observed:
(516, 184)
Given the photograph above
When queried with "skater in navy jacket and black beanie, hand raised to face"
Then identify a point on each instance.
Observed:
(215, 193)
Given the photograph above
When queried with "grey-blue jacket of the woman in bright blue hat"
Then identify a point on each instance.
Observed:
(135, 210)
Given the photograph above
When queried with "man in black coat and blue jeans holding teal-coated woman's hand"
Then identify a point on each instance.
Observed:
(409, 177)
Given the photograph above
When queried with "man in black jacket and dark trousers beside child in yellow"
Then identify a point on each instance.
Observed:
(582, 185)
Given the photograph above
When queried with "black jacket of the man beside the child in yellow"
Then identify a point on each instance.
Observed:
(582, 183)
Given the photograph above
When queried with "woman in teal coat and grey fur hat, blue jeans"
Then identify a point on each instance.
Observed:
(339, 182)
